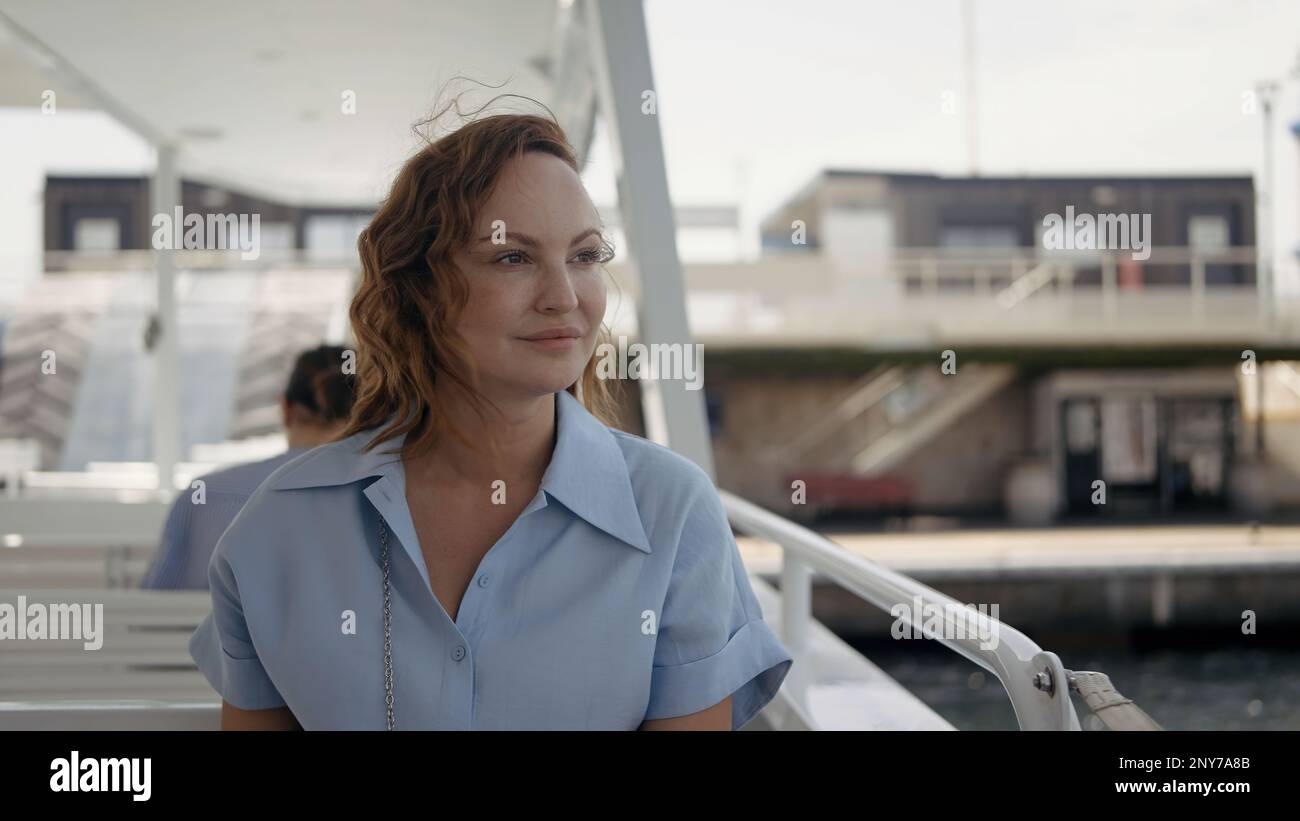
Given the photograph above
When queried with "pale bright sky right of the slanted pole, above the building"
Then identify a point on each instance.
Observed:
(1060, 88)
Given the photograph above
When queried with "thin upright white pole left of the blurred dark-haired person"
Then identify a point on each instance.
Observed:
(164, 197)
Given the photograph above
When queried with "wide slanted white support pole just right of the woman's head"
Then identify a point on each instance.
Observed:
(627, 98)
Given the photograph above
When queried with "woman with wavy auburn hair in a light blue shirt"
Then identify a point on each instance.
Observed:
(480, 551)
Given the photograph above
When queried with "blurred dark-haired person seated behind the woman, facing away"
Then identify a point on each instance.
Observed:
(317, 406)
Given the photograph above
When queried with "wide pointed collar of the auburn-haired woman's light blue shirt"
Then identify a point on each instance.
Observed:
(588, 474)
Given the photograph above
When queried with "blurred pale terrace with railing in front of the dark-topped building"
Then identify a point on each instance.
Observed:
(896, 294)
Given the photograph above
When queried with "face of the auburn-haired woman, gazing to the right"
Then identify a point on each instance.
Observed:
(534, 273)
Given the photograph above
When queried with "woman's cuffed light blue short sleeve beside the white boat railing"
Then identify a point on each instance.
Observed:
(713, 641)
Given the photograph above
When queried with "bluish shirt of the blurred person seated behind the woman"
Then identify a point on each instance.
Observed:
(196, 523)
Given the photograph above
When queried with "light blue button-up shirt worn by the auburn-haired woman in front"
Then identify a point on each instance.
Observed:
(617, 597)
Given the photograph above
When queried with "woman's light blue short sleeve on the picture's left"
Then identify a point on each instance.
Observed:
(224, 650)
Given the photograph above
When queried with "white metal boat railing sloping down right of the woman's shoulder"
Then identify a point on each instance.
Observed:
(1034, 679)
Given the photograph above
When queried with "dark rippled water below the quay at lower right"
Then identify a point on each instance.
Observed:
(1181, 688)
